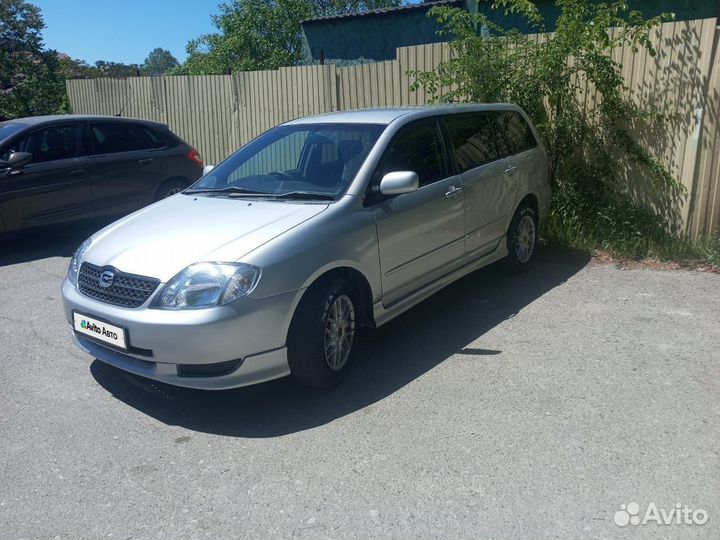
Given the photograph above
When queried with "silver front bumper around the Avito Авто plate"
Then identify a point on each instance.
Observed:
(252, 332)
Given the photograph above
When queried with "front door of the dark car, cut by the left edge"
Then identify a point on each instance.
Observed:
(54, 187)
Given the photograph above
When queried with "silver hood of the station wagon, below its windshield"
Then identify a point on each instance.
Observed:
(164, 238)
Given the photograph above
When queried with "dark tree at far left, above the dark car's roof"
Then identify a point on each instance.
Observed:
(30, 79)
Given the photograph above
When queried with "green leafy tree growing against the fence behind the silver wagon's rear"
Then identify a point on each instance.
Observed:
(590, 149)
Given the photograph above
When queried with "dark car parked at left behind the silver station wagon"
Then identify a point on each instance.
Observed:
(58, 169)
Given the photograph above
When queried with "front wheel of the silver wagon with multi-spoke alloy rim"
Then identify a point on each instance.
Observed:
(320, 350)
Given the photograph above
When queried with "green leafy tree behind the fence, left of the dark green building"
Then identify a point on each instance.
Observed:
(262, 34)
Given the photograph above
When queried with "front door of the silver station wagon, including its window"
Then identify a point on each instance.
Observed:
(420, 234)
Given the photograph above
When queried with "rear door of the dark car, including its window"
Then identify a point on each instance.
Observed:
(125, 171)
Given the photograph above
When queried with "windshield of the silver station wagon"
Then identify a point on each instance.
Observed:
(306, 160)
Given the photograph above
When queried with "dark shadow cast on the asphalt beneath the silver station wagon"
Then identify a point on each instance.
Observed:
(386, 360)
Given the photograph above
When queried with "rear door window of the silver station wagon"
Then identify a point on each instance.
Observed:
(475, 140)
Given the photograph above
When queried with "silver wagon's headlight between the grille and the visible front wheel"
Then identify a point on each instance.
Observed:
(204, 285)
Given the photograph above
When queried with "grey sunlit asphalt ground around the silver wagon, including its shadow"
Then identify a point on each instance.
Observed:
(528, 406)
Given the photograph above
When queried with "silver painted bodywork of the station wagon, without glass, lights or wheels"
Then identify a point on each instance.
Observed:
(402, 249)
